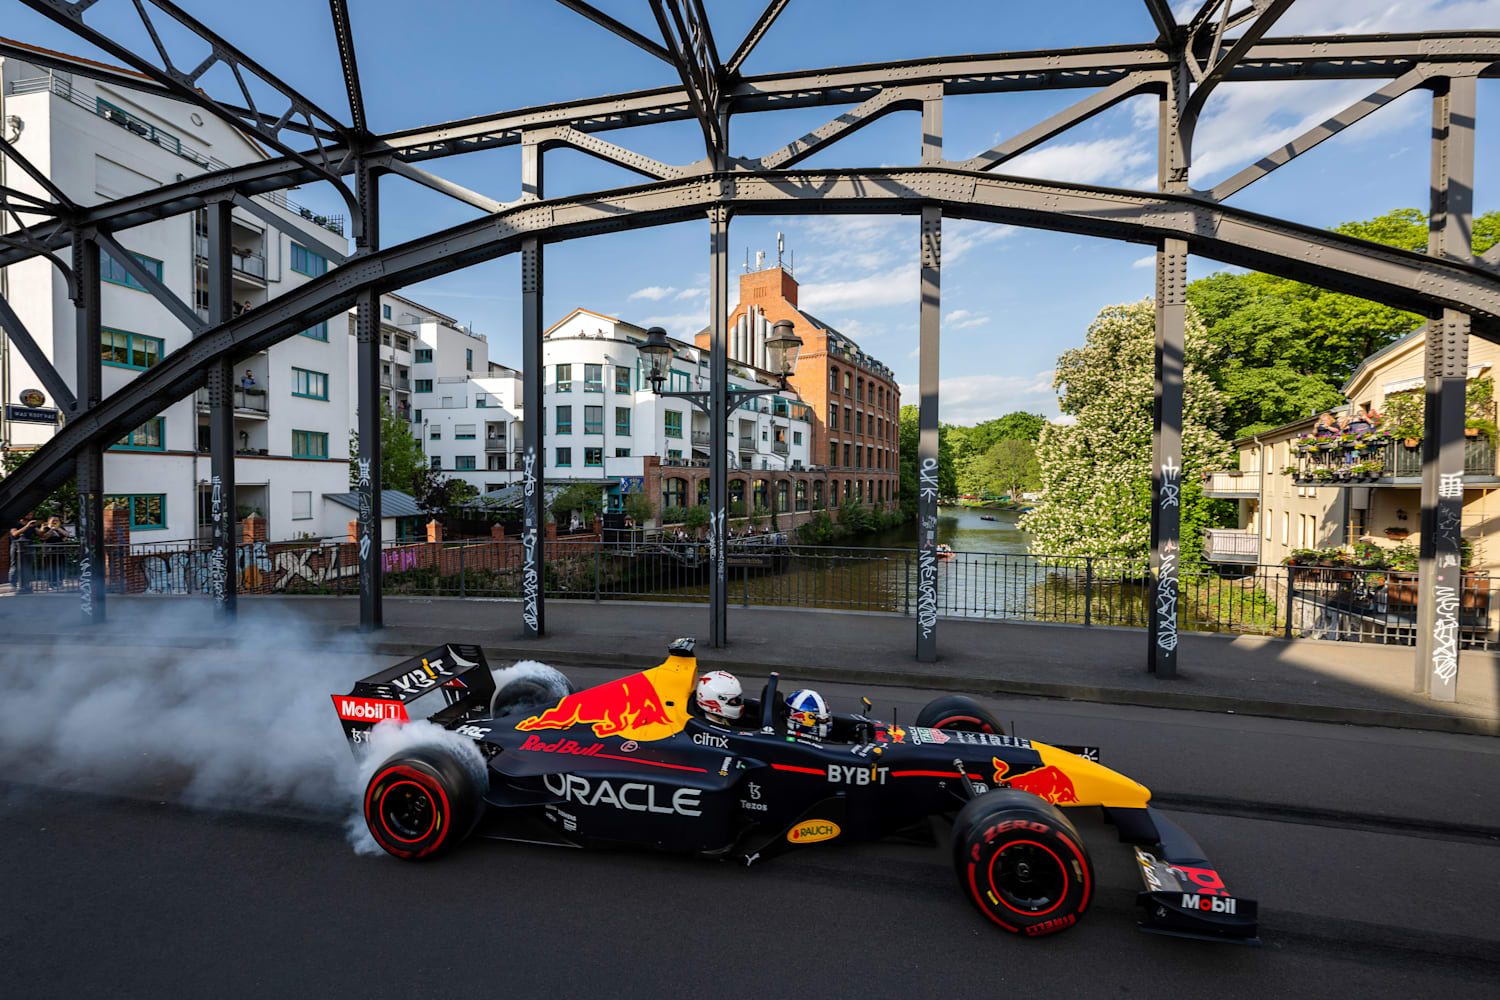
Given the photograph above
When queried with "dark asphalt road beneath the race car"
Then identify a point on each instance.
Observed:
(1375, 855)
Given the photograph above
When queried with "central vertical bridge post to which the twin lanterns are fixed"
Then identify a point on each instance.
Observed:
(718, 422)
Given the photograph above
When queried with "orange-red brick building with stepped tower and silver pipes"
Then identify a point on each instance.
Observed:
(854, 398)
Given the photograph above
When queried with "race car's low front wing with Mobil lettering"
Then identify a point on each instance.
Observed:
(1184, 896)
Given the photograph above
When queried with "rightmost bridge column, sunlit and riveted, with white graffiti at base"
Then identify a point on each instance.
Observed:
(1447, 349)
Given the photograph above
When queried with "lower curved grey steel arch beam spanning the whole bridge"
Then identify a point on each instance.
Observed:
(1399, 278)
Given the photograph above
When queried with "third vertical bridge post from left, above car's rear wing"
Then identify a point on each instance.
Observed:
(368, 397)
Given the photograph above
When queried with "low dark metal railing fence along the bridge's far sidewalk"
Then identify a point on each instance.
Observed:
(1339, 603)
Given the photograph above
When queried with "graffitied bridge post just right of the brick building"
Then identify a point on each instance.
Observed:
(928, 437)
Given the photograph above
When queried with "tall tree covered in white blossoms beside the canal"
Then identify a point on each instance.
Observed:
(1096, 475)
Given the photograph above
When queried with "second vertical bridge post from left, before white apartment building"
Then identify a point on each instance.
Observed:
(223, 564)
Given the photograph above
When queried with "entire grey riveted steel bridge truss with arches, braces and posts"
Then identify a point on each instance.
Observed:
(1225, 43)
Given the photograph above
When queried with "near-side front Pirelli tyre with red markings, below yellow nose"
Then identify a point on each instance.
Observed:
(1022, 863)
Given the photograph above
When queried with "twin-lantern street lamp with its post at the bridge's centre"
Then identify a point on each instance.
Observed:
(782, 350)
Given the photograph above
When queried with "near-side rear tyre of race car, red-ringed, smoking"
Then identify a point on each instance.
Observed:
(421, 804)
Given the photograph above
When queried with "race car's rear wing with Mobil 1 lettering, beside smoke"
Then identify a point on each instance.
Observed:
(443, 686)
